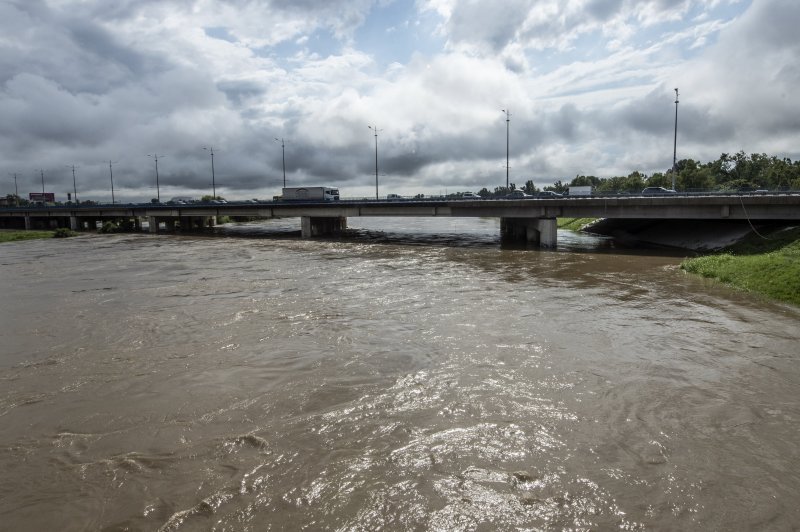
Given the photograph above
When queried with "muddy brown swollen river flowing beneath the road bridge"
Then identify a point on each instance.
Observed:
(415, 375)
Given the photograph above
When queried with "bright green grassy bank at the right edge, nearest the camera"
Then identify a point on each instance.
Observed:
(768, 266)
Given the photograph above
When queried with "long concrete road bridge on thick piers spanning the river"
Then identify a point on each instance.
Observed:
(531, 219)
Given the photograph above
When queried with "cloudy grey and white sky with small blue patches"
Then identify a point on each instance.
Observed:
(565, 87)
